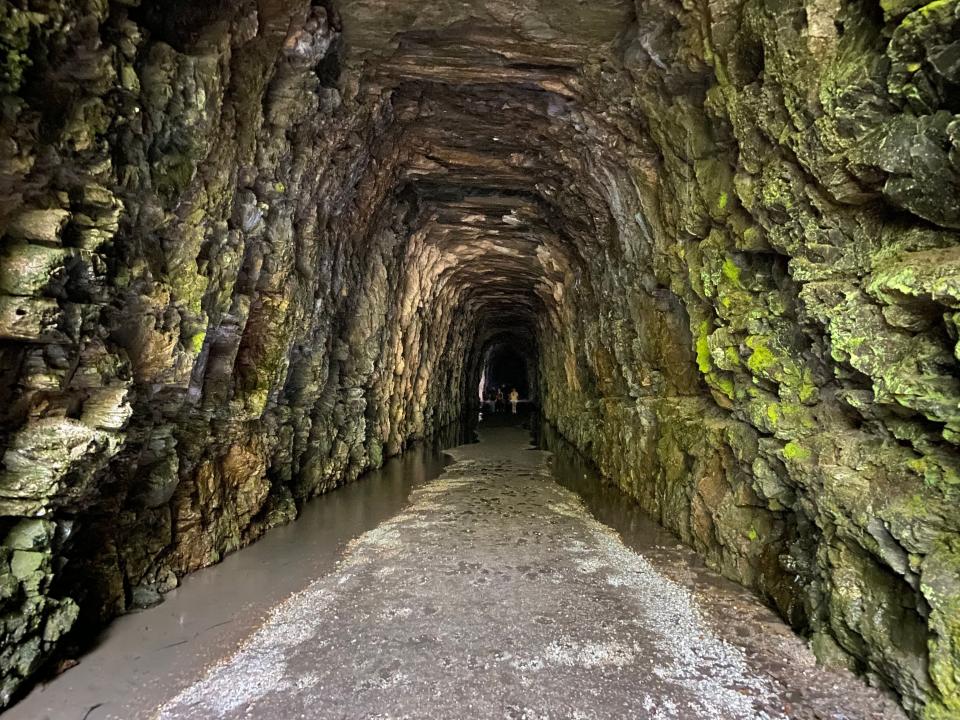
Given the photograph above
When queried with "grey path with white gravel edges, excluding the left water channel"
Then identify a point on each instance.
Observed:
(496, 593)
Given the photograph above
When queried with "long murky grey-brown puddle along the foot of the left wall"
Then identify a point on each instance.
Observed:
(144, 658)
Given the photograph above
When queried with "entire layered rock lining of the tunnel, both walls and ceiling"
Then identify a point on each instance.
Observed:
(251, 248)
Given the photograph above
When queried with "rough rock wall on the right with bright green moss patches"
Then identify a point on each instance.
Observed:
(766, 354)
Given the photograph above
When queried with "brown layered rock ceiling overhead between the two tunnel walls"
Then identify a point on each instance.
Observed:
(485, 92)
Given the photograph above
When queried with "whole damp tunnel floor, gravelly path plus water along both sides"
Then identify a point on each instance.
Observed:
(486, 588)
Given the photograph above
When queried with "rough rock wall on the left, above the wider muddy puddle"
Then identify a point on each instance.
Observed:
(207, 309)
